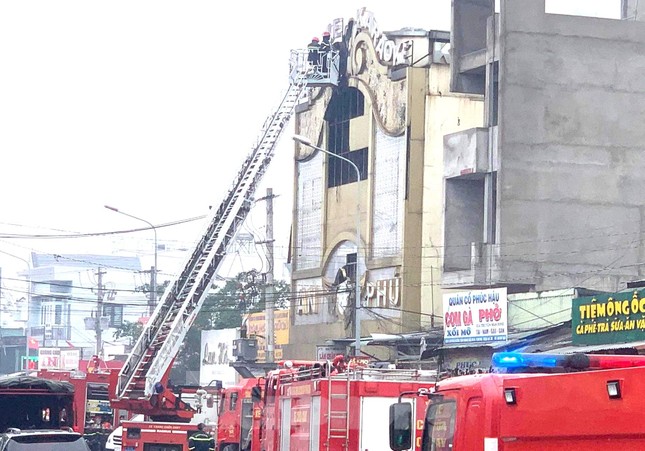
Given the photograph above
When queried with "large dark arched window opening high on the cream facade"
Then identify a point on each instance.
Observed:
(345, 105)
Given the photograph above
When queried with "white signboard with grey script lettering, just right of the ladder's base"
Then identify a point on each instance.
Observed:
(216, 354)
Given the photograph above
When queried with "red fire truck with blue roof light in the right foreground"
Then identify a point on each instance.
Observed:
(532, 402)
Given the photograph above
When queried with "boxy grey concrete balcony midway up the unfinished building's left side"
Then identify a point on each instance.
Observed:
(465, 153)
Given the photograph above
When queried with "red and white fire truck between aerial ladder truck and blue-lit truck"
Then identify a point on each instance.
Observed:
(308, 405)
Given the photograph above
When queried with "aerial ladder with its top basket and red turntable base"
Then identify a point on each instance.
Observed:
(141, 386)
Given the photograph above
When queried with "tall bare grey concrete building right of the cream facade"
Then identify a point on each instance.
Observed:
(550, 192)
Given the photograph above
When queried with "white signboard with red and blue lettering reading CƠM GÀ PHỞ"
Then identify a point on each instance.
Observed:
(475, 316)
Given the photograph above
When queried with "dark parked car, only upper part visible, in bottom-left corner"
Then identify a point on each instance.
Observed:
(42, 440)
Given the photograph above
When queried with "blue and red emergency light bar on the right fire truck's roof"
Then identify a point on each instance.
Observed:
(518, 360)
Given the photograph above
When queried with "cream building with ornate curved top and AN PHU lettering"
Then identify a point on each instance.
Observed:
(378, 219)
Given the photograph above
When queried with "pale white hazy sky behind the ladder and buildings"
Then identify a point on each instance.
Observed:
(150, 106)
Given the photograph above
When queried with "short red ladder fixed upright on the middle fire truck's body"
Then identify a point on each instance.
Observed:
(338, 400)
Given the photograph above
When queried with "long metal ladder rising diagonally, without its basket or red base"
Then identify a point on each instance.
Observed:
(164, 332)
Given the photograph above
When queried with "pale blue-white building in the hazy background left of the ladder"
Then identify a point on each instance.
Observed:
(66, 291)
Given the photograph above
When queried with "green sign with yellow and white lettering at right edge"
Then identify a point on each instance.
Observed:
(609, 318)
